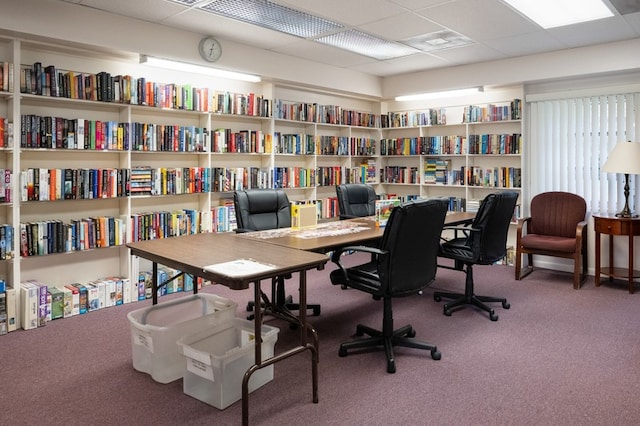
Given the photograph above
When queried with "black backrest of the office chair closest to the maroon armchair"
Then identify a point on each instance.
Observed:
(493, 218)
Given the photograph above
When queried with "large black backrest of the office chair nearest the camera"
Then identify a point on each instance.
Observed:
(411, 237)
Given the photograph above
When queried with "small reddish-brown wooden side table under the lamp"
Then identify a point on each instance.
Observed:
(612, 225)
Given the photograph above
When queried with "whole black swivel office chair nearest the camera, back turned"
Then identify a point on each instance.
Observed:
(404, 264)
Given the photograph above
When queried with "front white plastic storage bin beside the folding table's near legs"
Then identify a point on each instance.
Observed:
(217, 359)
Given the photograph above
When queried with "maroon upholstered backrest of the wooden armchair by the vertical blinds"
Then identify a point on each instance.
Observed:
(556, 213)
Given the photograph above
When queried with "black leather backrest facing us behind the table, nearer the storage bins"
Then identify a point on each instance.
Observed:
(260, 209)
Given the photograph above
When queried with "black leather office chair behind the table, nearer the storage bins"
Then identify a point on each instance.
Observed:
(261, 209)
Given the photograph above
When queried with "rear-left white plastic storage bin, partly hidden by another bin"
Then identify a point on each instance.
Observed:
(155, 330)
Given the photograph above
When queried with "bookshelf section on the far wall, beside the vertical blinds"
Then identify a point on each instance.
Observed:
(425, 153)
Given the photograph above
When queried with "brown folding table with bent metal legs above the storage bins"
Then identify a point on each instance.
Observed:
(192, 254)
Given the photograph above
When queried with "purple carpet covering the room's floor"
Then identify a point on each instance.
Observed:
(559, 356)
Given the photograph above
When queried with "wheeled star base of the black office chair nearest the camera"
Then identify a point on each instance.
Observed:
(400, 337)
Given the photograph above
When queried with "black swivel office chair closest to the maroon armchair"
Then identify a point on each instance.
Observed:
(482, 243)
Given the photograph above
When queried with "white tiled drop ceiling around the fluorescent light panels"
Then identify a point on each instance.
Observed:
(479, 30)
